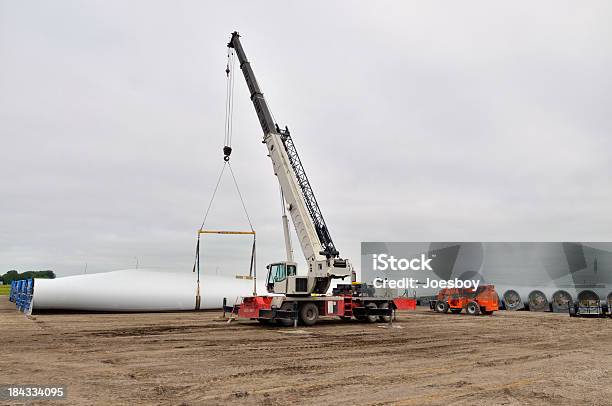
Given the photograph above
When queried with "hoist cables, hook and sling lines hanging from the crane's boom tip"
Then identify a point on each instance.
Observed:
(227, 150)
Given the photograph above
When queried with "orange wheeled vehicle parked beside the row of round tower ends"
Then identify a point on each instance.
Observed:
(482, 301)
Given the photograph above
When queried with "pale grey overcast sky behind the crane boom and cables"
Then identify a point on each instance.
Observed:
(415, 121)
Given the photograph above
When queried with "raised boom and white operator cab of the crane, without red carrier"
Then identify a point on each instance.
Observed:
(322, 257)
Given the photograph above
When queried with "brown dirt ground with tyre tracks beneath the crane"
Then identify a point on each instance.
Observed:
(194, 358)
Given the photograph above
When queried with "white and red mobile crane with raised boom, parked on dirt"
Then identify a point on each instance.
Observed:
(296, 296)
